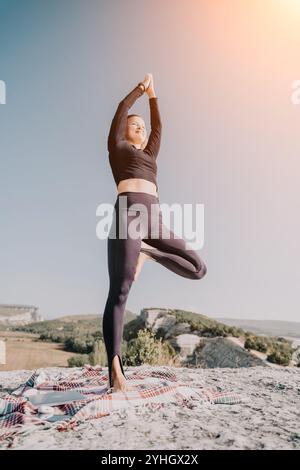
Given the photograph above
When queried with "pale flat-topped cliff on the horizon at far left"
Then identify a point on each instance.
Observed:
(15, 315)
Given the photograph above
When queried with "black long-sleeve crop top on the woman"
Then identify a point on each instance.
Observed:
(125, 159)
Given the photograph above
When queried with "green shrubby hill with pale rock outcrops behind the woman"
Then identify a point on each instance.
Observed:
(161, 335)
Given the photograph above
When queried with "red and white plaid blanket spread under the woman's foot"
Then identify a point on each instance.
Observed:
(153, 387)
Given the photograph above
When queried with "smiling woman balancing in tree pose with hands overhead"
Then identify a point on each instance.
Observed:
(133, 162)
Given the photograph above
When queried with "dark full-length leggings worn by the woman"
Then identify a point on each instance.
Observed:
(123, 251)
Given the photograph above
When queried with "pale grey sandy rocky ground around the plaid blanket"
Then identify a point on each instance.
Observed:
(268, 419)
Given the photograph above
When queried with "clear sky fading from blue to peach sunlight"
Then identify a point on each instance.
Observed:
(223, 74)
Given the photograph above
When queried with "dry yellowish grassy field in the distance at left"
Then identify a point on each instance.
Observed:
(23, 351)
